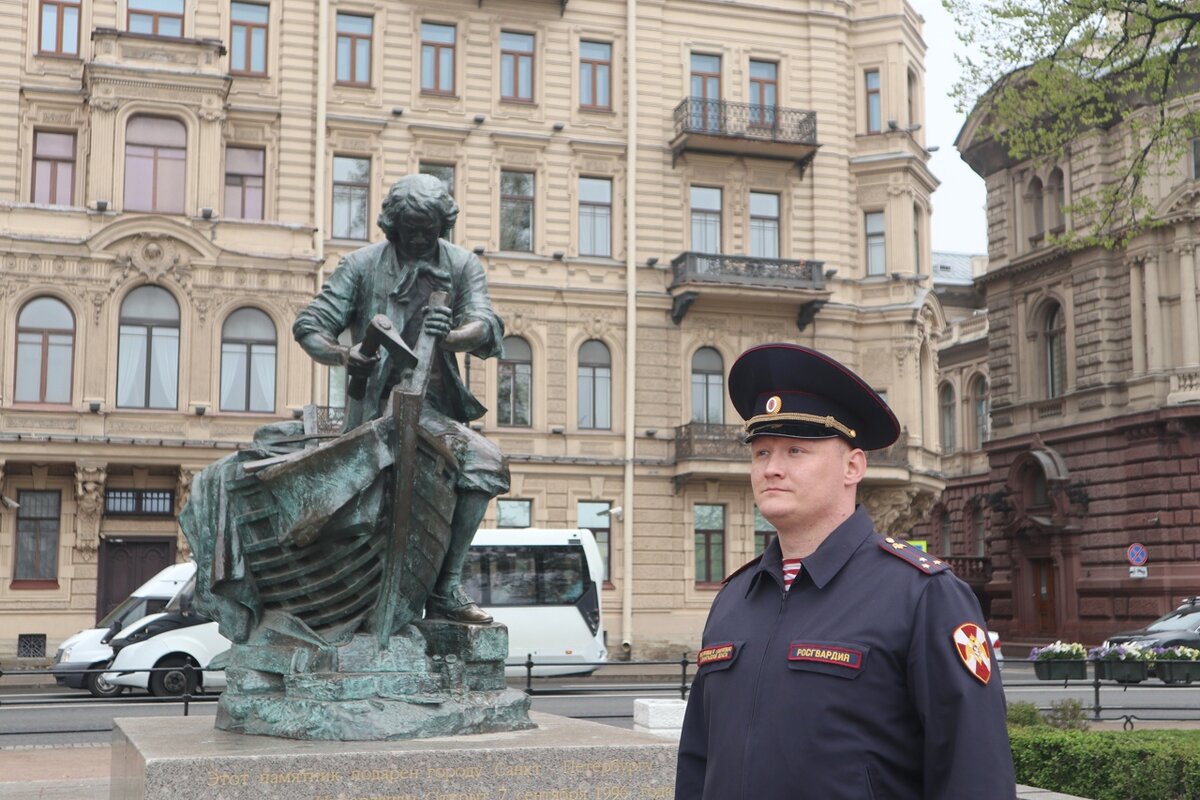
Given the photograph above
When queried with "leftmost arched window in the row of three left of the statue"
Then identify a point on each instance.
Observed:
(45, 351)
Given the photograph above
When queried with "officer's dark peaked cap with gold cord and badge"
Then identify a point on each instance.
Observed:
(790, 390)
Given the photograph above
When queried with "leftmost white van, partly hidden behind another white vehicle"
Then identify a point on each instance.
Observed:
(89, 649)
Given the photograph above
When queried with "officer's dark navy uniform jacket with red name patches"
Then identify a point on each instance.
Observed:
(847, 688)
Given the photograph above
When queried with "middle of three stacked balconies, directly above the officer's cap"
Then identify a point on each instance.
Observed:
(758, 280)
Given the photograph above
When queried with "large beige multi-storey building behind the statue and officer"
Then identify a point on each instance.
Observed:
(652, 187)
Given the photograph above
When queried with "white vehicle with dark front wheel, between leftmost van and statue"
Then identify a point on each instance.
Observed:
(179, 645)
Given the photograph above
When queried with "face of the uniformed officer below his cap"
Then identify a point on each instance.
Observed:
(801, 482)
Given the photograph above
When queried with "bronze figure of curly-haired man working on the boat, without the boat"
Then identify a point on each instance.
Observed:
(397, 279)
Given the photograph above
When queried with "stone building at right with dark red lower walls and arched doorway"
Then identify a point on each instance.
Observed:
(1094, 359)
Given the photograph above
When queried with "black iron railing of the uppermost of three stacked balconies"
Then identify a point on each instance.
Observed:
(746, 121)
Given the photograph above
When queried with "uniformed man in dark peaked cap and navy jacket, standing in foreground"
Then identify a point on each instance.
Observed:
(841, 665)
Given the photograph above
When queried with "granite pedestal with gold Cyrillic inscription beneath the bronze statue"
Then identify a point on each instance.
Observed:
(173, 759)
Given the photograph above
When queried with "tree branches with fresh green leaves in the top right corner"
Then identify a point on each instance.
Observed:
(1046, 74)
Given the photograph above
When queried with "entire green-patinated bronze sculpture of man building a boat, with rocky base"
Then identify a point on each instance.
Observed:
(320, 552)
